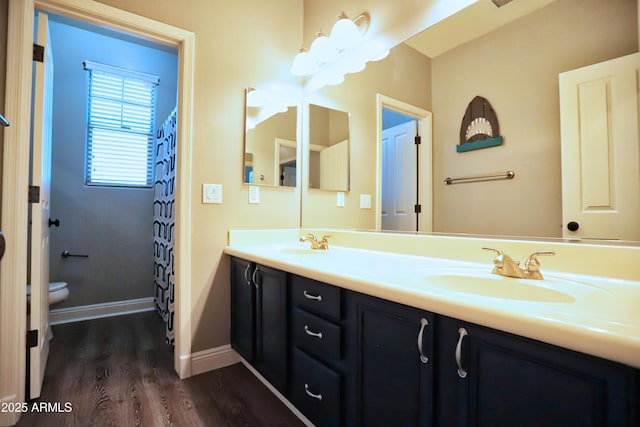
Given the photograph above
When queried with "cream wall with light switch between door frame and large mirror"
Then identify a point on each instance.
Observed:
(238, 44)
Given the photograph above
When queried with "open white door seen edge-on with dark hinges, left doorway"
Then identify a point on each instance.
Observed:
(41, 177)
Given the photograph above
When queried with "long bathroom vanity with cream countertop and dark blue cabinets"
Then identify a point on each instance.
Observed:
(350, 337)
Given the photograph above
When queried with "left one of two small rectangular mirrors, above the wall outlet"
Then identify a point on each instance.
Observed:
(271, 139)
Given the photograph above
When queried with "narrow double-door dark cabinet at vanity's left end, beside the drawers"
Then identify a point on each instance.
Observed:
(259, 319)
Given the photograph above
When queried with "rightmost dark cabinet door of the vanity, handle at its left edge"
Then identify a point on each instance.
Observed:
(513, 381)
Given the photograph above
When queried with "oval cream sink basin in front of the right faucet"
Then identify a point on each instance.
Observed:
(494, 286)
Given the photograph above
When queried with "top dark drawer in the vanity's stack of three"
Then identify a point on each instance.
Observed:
(317, 297)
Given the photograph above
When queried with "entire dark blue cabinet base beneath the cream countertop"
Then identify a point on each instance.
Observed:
(348, 359)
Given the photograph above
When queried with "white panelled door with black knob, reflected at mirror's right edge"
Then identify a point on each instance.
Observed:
(601, 150)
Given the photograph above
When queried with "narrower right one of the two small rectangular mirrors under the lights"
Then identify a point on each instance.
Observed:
(328, 148)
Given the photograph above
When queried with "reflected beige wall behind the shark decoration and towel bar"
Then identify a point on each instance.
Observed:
(516, 69)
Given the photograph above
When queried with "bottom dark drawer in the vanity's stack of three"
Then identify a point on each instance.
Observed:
(316, 390)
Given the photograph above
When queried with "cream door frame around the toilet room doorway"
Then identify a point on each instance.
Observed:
(16, 167)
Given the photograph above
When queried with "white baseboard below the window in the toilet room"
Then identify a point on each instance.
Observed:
(95, 311)
